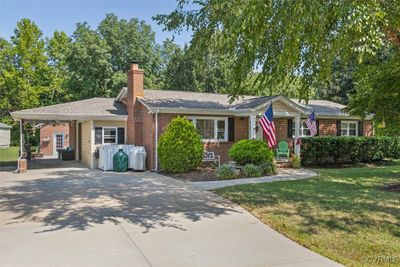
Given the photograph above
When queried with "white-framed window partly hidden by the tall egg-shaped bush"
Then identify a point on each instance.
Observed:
(211, 129)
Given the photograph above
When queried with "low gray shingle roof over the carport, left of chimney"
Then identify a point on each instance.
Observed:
(94, 106)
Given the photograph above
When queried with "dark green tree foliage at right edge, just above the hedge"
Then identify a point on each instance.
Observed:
(378, 91)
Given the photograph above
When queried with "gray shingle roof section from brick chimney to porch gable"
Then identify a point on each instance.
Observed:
(196, 100)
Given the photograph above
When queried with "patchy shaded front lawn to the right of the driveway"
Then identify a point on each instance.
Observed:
(343, 214)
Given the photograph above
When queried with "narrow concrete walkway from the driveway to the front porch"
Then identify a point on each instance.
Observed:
(283, 175)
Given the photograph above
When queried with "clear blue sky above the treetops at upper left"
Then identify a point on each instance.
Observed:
(62, 15)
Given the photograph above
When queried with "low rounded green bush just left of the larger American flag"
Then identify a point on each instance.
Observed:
(251, 152)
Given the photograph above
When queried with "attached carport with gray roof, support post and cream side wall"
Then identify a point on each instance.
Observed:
(84, 117)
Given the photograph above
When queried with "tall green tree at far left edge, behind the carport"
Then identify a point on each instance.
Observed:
(25, 75)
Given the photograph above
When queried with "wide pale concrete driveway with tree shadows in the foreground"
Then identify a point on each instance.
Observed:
(76, 217)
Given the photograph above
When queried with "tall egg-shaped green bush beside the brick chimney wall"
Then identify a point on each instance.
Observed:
(180, 148)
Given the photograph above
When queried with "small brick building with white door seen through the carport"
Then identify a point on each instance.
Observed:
(53, 137)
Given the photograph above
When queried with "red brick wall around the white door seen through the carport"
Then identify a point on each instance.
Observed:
(48, 130)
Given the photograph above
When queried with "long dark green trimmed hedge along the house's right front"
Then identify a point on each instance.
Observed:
(326, 150)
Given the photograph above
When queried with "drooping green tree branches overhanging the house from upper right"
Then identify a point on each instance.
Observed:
(286, 38)
